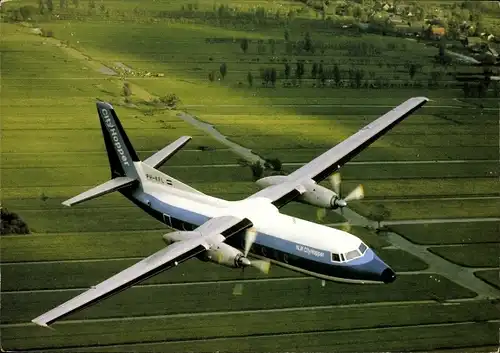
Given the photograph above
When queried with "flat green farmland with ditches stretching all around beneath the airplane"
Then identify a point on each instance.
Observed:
(52, 149)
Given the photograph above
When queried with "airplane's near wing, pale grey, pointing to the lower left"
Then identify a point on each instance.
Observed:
(210, 233)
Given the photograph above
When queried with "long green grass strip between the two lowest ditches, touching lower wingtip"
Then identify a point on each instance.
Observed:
(214, 325)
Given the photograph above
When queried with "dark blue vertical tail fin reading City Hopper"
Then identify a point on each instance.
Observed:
(121, 154)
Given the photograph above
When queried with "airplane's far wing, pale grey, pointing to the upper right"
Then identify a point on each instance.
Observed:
(323, 166)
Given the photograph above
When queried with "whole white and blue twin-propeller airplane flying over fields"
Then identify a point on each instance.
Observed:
(226, 232)
